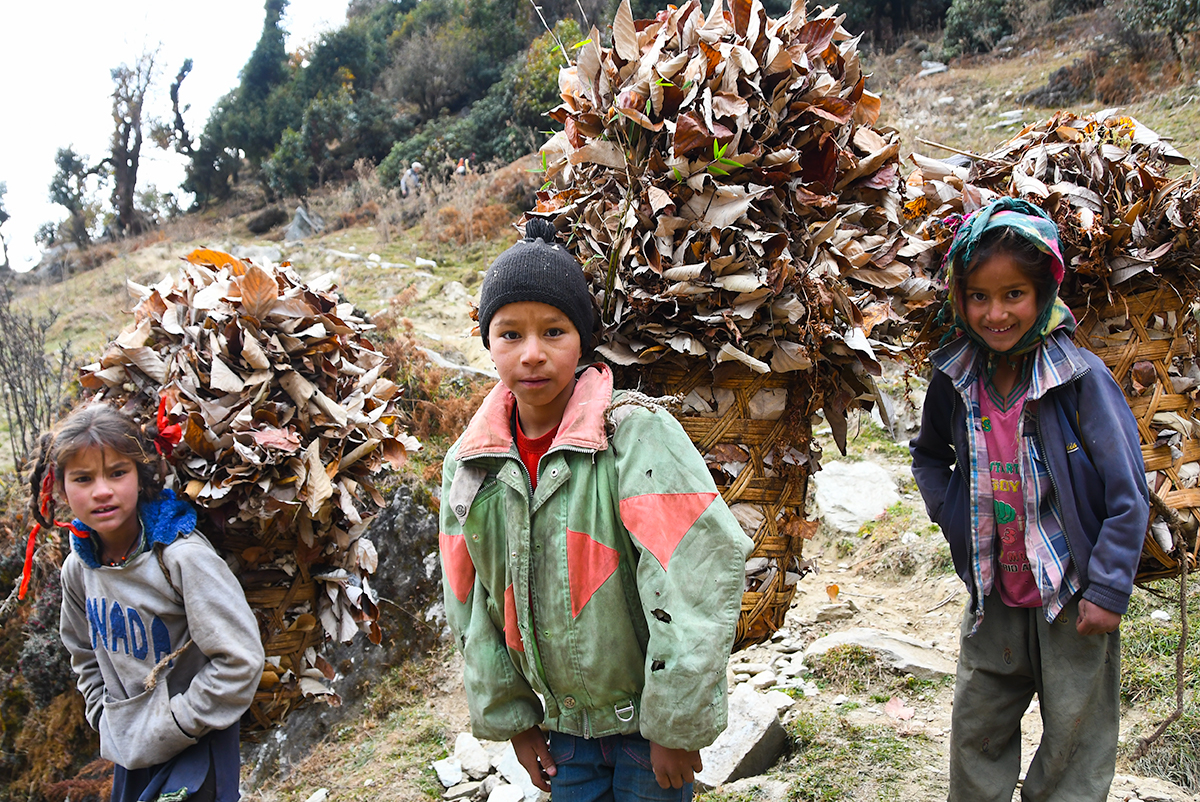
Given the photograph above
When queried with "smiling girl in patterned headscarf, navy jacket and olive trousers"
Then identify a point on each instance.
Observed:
(1029, 459)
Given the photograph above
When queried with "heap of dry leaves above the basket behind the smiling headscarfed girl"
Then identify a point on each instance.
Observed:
(1105, 178)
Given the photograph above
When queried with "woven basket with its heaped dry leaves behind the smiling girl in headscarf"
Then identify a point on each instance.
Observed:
(1129, 230)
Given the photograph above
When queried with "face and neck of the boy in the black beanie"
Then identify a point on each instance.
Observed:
(536, 350)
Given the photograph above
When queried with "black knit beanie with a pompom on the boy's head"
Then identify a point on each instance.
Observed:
(538, 268)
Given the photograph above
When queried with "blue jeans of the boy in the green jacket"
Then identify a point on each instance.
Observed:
(611, 769)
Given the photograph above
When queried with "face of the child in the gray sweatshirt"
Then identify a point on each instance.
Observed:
(103, 490)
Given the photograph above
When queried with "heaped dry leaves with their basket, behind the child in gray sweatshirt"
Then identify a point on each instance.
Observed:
(284, 420)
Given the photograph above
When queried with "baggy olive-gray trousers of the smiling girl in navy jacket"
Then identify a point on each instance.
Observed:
(1015, 655)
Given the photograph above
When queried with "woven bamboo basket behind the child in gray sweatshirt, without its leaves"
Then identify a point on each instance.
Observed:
(284, 647)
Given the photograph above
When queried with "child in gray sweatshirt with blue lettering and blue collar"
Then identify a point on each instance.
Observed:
(166, 649)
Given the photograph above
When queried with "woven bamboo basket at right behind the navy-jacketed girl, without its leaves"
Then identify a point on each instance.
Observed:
(1145, 339)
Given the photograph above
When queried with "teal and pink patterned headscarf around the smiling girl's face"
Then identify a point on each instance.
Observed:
(1034, 225)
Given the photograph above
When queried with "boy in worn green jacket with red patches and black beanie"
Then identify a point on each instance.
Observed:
(592, 573)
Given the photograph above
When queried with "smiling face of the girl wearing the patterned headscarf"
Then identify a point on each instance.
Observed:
(1000, 303)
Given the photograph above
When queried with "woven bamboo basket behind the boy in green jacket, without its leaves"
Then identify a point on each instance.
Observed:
(766, 418)
